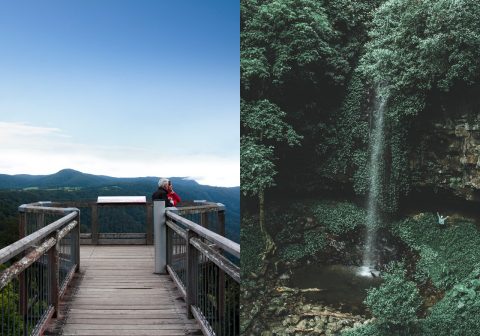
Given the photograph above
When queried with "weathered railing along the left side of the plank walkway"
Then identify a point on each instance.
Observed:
(41, 264)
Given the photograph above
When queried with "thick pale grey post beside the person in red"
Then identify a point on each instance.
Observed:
(160, 236)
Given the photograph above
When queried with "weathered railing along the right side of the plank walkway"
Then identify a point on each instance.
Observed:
(204, 265)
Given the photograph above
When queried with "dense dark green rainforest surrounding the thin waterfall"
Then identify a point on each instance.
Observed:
(319, 79)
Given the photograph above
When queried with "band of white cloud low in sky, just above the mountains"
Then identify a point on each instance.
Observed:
(28, 149)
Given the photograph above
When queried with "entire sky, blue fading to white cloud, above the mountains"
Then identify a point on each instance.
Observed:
(121, 88)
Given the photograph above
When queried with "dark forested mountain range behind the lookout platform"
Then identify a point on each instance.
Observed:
(71, 185)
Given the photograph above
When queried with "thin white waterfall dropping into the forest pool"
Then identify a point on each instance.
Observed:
(375, 183)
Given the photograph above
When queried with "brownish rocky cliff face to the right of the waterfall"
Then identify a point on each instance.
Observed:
(447, 153)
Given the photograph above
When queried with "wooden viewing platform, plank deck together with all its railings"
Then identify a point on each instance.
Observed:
(186, 283)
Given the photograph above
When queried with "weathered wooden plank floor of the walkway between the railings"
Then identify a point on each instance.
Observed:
(118, 294)
